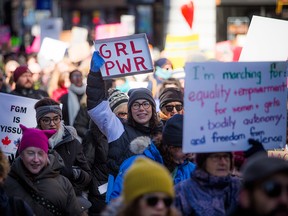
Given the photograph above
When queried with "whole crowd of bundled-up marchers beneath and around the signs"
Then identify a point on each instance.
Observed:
(99, 150)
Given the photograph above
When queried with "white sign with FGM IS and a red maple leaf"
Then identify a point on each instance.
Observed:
(14, 110)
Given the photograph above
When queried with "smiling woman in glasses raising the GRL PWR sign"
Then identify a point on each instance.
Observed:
(142, 117)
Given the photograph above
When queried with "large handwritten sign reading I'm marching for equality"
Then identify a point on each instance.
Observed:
(228, 103)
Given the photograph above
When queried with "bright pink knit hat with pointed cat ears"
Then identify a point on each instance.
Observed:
(33, 137)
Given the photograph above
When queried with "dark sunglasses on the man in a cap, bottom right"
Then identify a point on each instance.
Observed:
(273, 189)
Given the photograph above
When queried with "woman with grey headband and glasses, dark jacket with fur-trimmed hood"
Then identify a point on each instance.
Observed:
(65, 143)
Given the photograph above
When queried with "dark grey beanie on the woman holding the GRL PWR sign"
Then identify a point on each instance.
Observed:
(140, 93)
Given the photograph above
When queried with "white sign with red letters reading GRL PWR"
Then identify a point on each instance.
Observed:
(124, 56)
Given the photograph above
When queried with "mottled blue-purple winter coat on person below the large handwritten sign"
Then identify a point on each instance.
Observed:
(204, 194)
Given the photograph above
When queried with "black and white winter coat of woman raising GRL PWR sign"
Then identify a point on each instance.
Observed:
(119, 134)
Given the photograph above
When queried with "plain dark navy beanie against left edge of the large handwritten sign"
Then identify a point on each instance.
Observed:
(173, 131)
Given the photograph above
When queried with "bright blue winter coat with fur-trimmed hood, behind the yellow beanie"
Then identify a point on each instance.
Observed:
(183, 171)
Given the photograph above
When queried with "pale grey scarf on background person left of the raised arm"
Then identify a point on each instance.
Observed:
(73, 101)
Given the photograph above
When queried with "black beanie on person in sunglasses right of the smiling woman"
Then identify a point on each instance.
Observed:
(170, 95)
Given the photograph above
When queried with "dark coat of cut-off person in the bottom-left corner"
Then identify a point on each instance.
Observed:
(13, 206)
